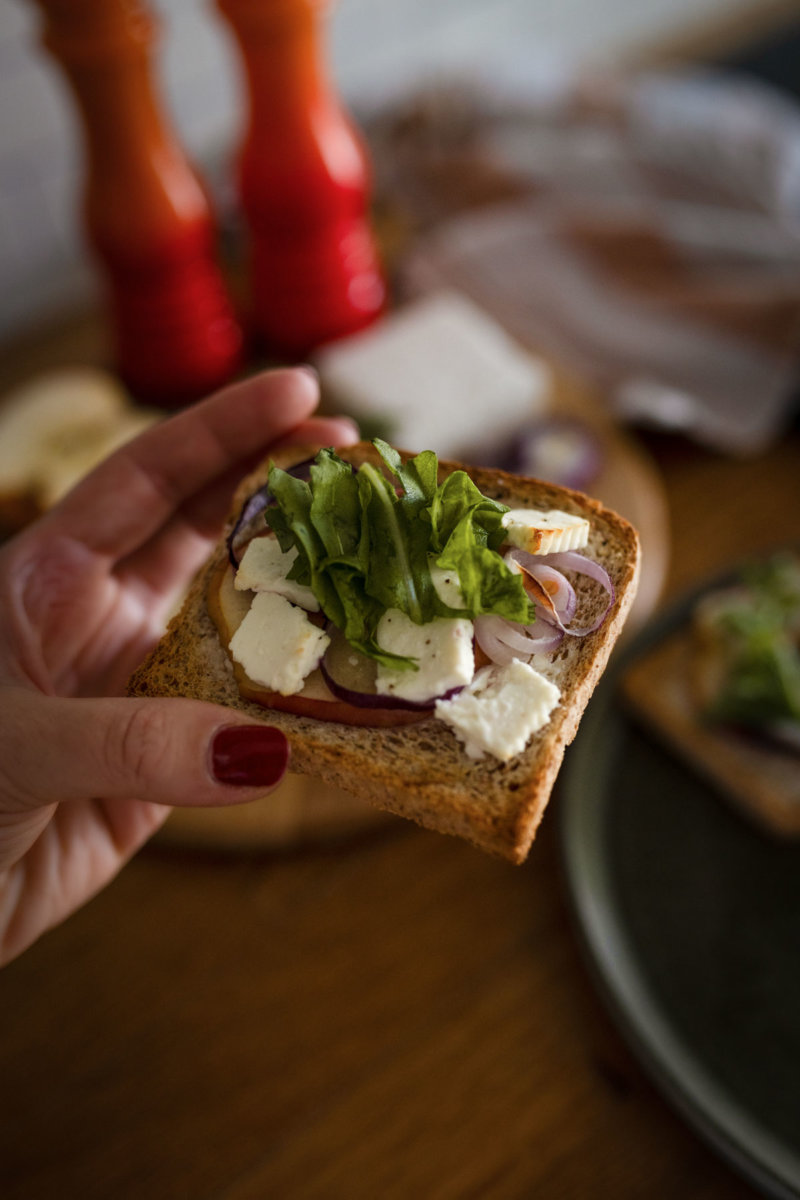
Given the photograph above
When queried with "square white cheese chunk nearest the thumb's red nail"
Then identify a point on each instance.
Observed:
(278, 645)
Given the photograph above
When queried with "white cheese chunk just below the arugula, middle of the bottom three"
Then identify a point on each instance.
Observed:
(443, 647)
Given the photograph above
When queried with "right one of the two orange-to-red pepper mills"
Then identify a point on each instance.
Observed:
(304, 184)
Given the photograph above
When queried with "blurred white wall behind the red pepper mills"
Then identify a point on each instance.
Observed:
(376, 45)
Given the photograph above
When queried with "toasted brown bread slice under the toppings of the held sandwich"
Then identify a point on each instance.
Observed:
(422, 771)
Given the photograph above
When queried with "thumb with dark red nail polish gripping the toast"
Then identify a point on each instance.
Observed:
(171, 752)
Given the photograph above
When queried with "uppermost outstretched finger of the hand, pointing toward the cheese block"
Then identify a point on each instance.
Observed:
(137, 490)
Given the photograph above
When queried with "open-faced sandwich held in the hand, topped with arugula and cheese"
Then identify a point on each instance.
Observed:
(426, 638)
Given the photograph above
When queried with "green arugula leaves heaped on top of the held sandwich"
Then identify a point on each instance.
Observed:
(365, 545)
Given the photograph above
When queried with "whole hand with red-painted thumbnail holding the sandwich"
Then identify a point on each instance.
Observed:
(83, 596)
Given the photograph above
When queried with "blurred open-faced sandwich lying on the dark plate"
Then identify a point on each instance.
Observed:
(724, 691)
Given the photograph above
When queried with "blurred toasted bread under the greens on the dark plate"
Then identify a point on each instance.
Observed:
(762, 781)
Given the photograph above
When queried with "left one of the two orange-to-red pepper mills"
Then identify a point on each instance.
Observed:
(146, 213)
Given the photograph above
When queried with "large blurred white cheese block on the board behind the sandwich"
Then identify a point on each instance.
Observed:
(440, 375)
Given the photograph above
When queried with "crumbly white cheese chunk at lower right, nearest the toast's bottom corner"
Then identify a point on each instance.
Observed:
(502, 710)
